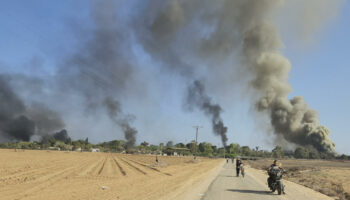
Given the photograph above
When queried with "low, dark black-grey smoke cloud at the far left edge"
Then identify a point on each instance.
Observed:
(19, 122)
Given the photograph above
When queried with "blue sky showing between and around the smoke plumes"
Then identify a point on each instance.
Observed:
(35, 37)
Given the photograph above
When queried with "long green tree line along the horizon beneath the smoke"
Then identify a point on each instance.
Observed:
(204, 149)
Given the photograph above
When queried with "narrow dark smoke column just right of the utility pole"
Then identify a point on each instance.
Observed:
(197, 97)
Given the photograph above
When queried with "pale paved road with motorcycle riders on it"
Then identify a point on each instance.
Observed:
(227, 186)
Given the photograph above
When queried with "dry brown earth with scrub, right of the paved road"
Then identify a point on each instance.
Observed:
(328, 177)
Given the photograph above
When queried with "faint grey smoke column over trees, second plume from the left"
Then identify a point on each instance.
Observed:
(116, 114)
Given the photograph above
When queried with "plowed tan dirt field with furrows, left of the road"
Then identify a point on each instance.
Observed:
(55, 175)
